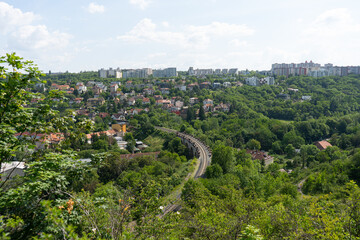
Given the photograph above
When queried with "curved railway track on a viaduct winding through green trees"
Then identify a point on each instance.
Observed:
(203, 153)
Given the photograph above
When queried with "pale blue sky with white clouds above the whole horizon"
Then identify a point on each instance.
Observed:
(82, 35)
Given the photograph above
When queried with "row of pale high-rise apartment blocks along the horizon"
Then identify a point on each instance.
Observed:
(277, 69)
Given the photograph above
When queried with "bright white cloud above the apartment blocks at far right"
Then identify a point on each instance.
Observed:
(332, 35)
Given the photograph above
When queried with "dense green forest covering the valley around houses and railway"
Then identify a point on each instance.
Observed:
(303, 193)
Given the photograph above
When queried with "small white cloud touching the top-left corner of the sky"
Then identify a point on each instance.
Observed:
(11, 17)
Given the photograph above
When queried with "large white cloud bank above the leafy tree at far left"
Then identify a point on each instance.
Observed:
(20, 33)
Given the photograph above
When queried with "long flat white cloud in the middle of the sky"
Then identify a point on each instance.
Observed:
(191, 36)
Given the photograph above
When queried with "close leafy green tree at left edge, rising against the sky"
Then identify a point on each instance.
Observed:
(14, 117)
